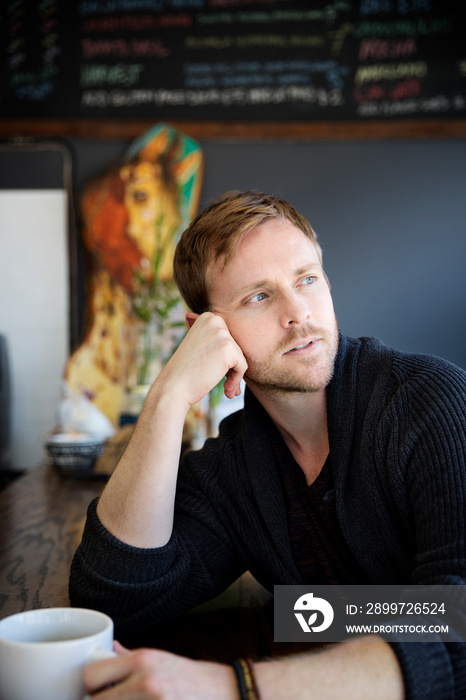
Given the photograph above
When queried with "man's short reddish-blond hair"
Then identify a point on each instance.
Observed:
(216, 234)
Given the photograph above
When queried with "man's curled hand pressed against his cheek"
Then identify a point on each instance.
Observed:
(207, 354)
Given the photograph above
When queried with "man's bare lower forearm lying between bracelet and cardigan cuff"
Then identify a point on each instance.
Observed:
(360, 669)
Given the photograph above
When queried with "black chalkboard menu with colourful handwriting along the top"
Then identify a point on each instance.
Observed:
(283, 60)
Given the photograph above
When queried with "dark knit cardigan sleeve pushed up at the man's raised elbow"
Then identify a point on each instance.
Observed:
(141, 588)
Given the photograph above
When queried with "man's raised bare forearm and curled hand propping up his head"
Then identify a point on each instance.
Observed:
(138, 503)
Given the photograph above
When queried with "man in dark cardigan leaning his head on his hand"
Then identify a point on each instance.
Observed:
(345, 466)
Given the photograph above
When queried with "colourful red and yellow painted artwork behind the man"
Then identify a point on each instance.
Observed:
(132, 217)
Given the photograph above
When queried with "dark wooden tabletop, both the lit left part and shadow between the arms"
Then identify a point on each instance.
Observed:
(42, 516)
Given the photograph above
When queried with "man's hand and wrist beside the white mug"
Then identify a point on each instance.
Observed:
(150, 674)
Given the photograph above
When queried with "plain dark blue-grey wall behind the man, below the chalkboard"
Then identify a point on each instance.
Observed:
(391, 217)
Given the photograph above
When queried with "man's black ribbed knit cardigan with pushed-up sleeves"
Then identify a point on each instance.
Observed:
(397, 433)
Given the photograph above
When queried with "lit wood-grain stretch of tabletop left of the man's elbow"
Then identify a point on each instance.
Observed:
(42, 515)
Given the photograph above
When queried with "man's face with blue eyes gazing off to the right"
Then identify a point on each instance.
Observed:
(276, 302)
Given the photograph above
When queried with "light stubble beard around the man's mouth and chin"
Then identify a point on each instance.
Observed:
(309, 375)
